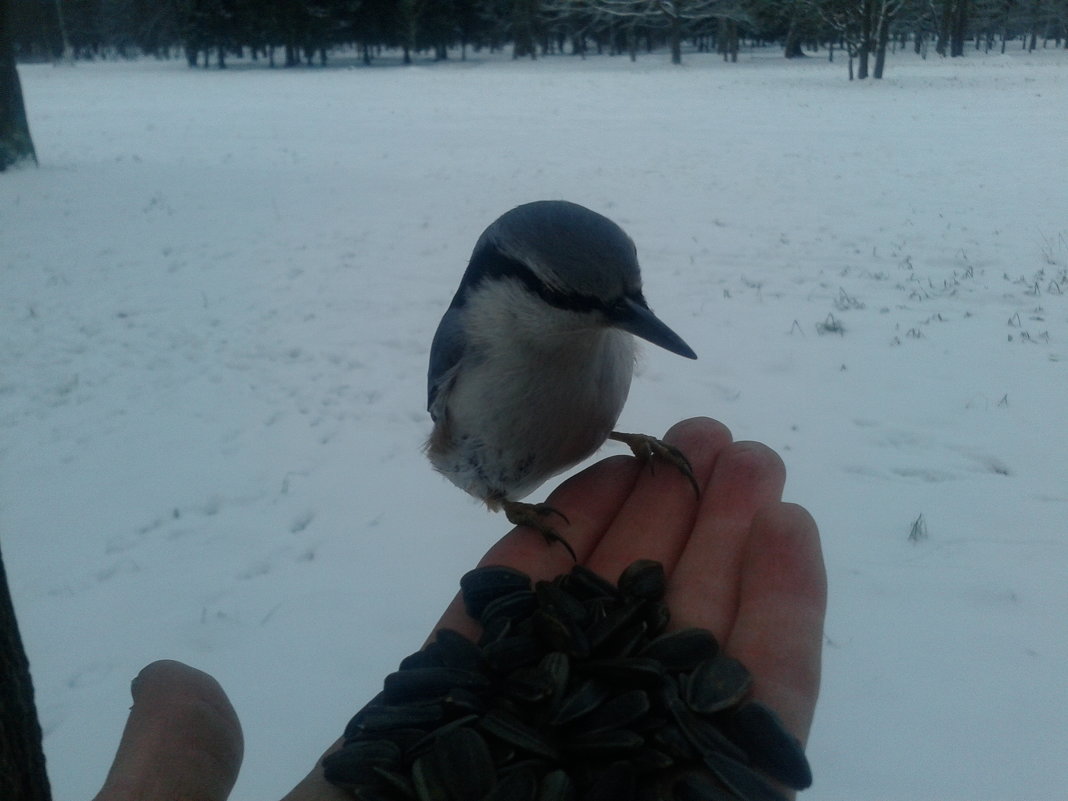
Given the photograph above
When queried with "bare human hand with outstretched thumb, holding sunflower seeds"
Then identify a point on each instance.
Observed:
(740, 562)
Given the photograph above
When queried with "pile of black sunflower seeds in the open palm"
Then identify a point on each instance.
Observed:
(574, 693)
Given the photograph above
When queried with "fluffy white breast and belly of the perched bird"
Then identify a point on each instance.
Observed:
(539, 389)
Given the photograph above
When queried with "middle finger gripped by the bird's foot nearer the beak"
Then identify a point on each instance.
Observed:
(657, 516)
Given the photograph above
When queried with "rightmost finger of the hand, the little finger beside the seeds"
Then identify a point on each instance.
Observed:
(779, 632)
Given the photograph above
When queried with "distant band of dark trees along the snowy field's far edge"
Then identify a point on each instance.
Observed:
(289, 34)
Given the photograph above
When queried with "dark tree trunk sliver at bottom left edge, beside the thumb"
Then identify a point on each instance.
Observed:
(23, 775)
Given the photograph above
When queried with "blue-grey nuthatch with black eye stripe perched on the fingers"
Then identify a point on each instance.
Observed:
(532, 363)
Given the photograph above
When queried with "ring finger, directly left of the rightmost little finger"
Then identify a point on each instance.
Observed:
(703, 590)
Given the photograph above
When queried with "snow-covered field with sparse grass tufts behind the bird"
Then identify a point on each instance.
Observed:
(217, 295)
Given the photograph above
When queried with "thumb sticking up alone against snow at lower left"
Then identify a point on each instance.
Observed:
(182, 740)
